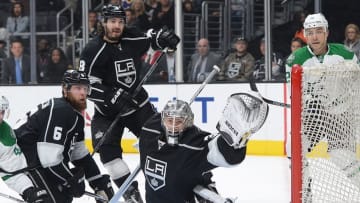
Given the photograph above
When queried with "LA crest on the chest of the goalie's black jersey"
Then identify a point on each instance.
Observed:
(155, 172)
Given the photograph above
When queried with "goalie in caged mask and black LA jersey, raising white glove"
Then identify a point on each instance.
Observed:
(175, 153)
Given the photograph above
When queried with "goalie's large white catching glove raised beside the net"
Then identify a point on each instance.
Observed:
(243, 115)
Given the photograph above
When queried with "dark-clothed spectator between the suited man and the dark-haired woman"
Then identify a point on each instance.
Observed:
(43, 58)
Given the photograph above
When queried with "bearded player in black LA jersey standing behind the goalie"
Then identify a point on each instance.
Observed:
(112, 62)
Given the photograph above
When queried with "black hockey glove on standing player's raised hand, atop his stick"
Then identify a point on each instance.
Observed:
(167, 38)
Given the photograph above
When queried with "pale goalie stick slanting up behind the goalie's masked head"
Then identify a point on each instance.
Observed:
(129, 179)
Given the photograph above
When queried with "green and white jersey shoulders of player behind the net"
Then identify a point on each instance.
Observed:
(305, 57)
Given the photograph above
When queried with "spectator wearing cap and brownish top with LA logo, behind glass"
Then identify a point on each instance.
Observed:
(239, 65)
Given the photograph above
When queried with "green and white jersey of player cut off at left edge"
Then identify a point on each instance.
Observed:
(11, 160)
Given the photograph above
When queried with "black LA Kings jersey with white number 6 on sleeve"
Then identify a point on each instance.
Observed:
(52, 135)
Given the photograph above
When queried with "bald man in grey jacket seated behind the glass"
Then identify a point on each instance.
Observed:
(202, 62)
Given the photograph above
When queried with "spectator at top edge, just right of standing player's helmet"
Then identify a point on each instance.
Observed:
(142, 19)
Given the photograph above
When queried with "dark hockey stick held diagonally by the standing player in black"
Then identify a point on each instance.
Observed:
(136, 91)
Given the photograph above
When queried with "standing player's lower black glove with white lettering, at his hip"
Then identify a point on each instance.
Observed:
(121, 101)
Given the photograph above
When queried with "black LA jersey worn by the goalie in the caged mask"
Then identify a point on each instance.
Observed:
(171, 172)
